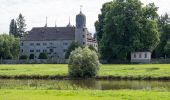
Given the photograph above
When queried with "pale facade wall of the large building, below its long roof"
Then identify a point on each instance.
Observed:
(59, 48)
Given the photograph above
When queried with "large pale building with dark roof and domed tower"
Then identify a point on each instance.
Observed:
(55, 40)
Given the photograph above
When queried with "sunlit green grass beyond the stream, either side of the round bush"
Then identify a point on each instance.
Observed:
(136, 71)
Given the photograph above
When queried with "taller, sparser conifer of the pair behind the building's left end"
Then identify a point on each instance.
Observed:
(21, 25)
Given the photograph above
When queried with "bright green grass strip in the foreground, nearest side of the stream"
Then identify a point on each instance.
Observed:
(83, 95)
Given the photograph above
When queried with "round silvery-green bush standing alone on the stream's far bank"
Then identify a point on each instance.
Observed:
(83, 63)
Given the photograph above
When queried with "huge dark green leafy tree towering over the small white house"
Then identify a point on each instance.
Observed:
(126, 26)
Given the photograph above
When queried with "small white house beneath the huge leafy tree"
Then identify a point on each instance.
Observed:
(140, 57)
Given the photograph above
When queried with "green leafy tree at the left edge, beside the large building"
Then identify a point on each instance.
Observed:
(9, 47)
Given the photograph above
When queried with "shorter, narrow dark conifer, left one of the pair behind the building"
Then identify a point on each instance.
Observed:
(13, 28)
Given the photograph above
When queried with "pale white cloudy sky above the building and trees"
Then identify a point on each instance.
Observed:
(59, 11)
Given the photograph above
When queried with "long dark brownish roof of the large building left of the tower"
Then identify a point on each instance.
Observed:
(50, 34)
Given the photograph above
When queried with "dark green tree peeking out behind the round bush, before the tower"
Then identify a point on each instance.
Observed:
(71, 48)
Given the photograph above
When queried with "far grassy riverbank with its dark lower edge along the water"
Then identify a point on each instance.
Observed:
(60, 71)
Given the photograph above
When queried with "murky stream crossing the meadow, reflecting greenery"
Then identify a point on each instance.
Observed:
(83, 84)
